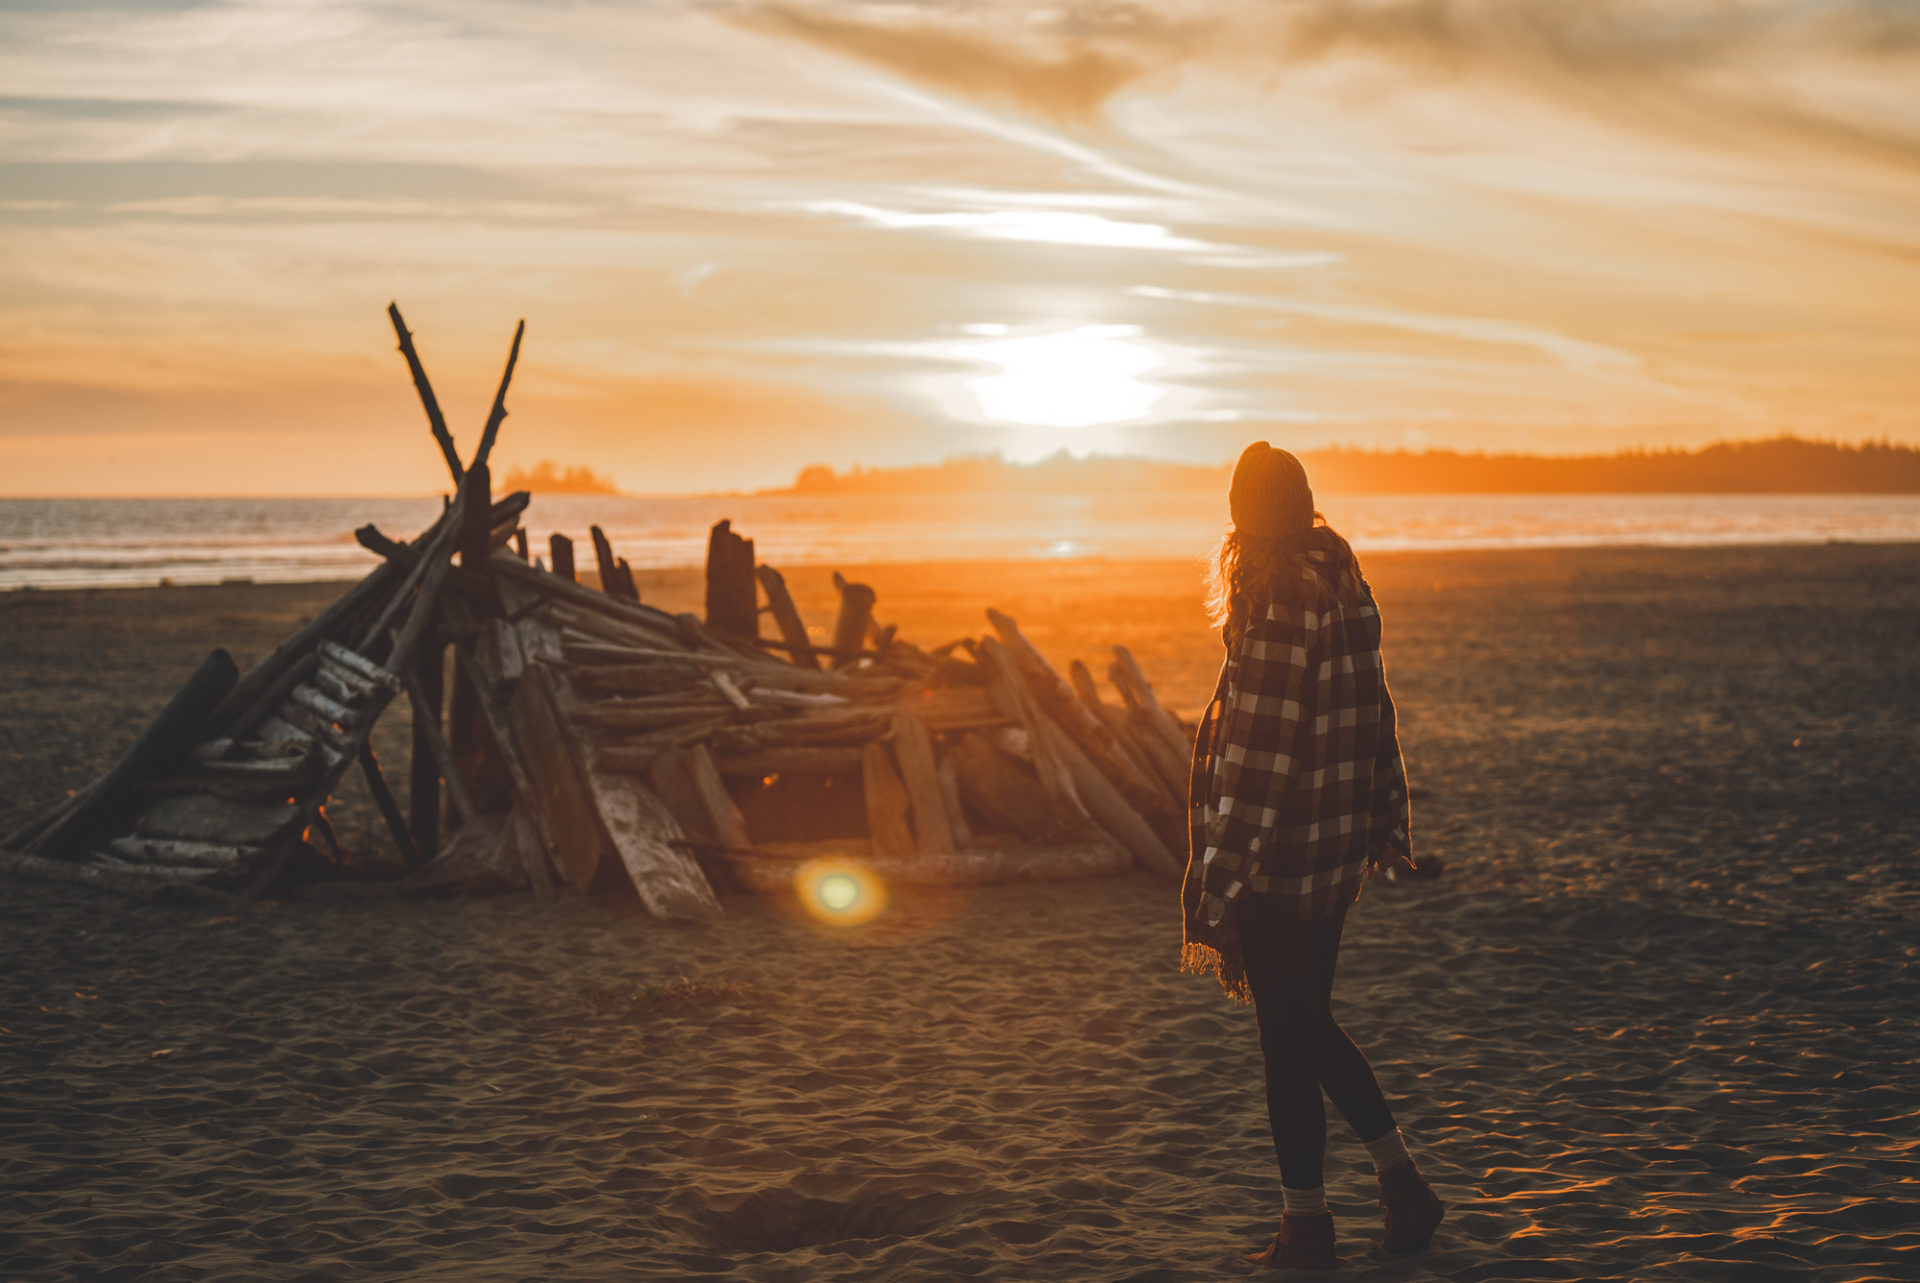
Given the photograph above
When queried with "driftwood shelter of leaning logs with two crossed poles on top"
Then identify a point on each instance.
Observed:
(590, 740)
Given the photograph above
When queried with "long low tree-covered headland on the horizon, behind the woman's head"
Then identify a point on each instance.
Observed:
(1777, 466)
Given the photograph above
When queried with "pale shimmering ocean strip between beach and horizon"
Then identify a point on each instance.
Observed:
(143, 543)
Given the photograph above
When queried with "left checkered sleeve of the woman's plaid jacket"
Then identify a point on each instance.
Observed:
(1260, 752)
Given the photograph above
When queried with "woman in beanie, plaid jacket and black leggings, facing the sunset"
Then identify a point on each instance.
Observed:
(1299, 790)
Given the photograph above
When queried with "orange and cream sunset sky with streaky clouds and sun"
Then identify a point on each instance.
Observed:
(748, 237)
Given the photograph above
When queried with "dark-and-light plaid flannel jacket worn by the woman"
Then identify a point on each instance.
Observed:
(1308, 787)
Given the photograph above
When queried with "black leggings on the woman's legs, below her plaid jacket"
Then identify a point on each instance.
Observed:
(1289, 967)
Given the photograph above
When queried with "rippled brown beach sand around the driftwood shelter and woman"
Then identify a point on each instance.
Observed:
(1654, 1025)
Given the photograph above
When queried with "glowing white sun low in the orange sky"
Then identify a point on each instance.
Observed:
(1068, 379)
